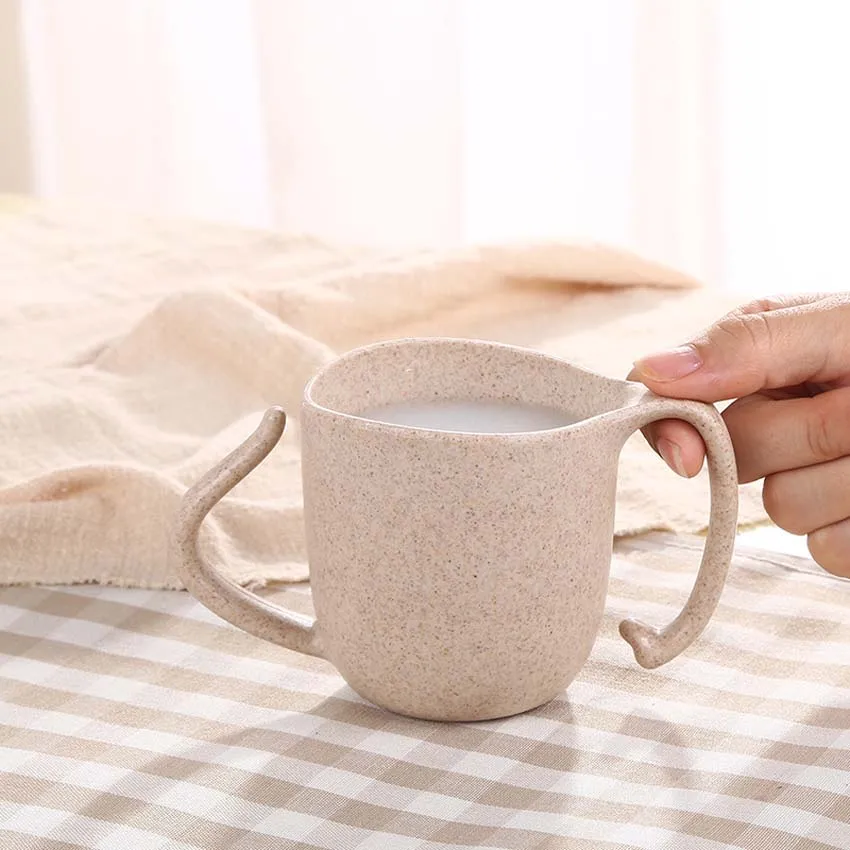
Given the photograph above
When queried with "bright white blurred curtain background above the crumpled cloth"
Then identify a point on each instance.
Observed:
(709, 134)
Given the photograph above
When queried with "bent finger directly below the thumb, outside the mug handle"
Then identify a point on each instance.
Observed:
(772, 435)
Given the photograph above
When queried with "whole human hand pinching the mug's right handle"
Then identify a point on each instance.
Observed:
(787, 362)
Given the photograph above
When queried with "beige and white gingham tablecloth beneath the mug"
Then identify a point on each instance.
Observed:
(134, 720)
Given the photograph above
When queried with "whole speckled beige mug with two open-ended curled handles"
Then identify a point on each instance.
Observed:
(461, 575)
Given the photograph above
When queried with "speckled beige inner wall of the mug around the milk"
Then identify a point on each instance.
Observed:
(440, 370)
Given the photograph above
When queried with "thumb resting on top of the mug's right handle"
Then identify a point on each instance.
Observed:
(751, 350)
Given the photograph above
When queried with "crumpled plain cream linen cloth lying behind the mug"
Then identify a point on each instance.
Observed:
(135, 353)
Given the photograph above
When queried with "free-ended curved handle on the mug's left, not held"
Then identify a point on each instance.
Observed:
(207, 583)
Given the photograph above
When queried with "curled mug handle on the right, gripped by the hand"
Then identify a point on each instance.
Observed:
(653, 646)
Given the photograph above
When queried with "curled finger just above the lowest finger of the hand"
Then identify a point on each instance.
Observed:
(804, 500)
